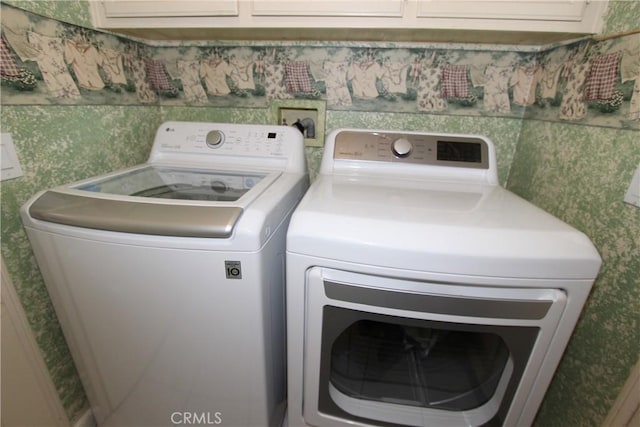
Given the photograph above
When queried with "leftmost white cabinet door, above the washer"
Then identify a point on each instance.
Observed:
(167, 8)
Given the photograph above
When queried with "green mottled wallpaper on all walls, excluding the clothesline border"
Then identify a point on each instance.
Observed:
(576, 171)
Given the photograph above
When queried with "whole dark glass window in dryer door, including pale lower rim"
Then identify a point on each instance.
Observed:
(402, 370)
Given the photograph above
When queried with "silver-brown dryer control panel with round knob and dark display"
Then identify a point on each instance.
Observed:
(414, 148)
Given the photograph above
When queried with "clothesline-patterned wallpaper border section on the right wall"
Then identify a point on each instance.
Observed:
(593, 83)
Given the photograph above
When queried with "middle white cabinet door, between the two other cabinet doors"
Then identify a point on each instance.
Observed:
(382, 8)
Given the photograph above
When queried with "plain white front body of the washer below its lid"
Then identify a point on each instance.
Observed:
(165, 325)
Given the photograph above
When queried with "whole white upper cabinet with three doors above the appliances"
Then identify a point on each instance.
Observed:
(566, 16)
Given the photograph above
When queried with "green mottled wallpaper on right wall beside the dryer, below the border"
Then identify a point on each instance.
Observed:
(580, 174)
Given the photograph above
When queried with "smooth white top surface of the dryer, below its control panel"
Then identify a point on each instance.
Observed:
(439, 226)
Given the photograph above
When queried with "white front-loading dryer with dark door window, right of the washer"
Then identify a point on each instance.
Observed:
(420, 292)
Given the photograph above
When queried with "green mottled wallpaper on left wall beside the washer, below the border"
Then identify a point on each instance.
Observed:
(57, 145)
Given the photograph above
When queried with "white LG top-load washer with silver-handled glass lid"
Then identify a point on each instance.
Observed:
(168, 277)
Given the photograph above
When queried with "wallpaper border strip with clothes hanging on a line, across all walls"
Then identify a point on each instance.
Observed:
(47, 62)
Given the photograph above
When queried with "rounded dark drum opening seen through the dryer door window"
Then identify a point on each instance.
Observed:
(426, 367)
